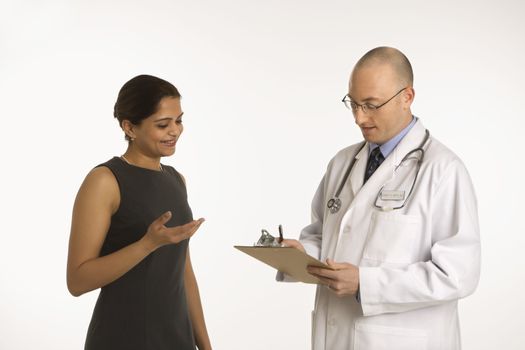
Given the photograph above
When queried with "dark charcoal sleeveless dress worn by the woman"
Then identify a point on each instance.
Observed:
(146, 308)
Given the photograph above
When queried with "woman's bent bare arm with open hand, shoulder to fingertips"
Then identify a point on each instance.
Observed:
(97, 200)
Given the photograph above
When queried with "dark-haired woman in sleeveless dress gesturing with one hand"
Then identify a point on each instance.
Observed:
(130, 231)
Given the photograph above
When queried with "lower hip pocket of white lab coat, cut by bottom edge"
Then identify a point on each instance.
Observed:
(368, 336)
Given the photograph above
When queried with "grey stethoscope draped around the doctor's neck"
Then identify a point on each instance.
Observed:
(334, 204)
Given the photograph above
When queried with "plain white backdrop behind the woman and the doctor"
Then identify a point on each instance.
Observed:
(261, 84)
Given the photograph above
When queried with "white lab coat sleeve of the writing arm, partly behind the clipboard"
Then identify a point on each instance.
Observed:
(310, 236)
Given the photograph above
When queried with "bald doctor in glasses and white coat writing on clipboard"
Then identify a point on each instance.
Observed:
(399, 232)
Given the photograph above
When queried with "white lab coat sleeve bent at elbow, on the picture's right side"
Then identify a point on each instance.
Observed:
(451, 273)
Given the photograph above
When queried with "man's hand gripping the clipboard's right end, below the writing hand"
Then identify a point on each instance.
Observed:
(342, 280)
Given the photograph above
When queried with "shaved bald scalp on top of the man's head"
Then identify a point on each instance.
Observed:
(392, 57)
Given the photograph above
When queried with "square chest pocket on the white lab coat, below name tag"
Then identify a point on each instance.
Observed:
(391, 237)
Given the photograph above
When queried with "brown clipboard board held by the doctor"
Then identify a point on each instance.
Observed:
(289, 260)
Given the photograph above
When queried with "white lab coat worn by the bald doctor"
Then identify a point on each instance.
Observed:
(414, 263)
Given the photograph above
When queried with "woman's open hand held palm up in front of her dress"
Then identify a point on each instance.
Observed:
(159, 235)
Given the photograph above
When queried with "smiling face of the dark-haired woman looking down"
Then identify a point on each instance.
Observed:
(158, 134)
